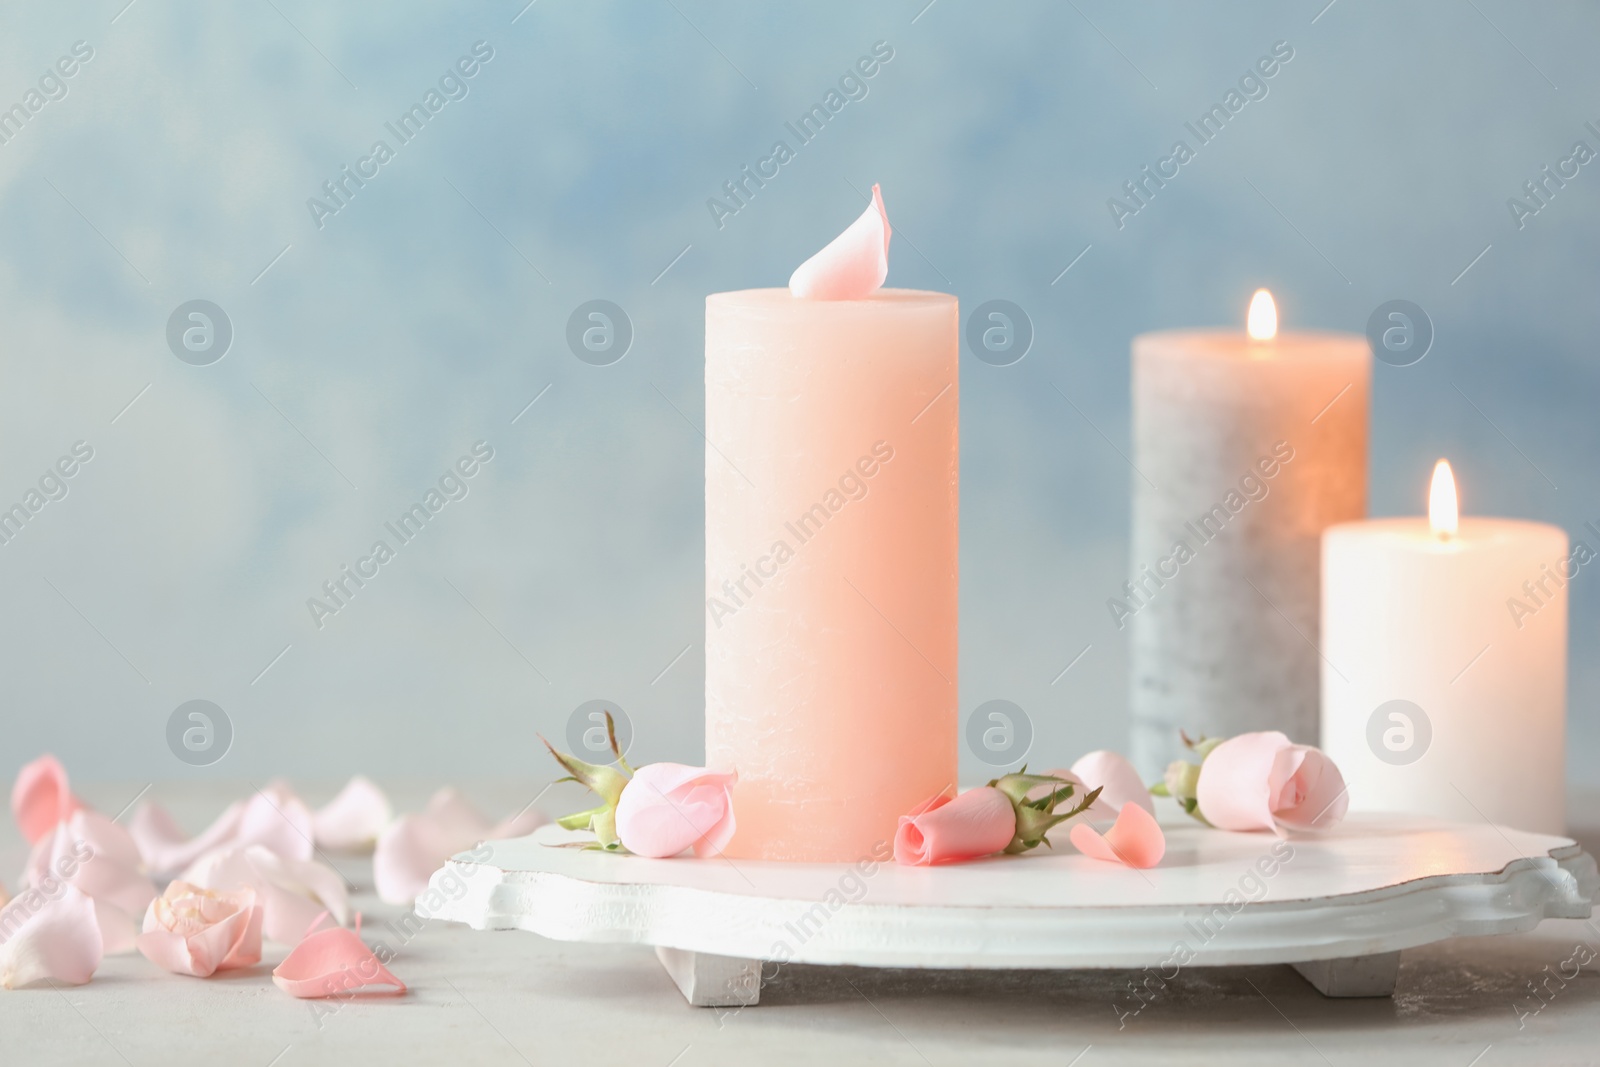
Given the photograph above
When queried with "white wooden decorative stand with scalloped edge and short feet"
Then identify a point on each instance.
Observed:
(1338, 908)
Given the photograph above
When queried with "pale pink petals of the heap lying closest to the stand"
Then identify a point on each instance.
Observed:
(414, 847)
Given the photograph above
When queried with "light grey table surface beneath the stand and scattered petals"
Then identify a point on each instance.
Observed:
(518, 999)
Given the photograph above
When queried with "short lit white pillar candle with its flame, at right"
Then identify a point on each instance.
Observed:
(1446, 677)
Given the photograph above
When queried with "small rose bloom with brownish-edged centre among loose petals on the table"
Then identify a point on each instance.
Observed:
(201, 932)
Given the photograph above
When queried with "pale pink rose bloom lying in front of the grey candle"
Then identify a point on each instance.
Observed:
(1263, 781)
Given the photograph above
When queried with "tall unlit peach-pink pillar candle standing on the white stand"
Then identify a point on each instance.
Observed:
(831, 564)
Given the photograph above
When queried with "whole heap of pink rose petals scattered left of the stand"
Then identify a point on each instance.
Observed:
(246, 877)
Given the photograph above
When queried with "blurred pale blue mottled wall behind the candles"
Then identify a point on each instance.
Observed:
(417, 322)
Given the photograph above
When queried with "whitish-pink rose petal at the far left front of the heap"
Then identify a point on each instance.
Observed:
(49, 937)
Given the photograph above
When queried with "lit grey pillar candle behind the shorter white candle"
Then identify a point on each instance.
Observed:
(1246, 450)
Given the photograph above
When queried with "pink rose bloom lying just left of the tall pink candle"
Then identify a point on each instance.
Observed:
(668, 807)
